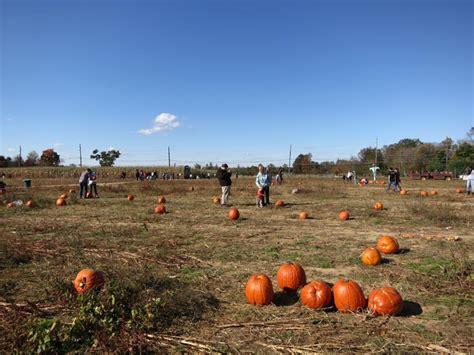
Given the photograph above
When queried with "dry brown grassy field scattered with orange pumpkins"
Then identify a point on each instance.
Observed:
(170, 271)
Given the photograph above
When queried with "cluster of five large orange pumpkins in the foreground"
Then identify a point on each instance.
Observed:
(346, 295)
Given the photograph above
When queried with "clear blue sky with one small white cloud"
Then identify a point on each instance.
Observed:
(232, 81)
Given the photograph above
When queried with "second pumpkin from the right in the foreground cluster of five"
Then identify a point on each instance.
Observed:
(348, 296)
